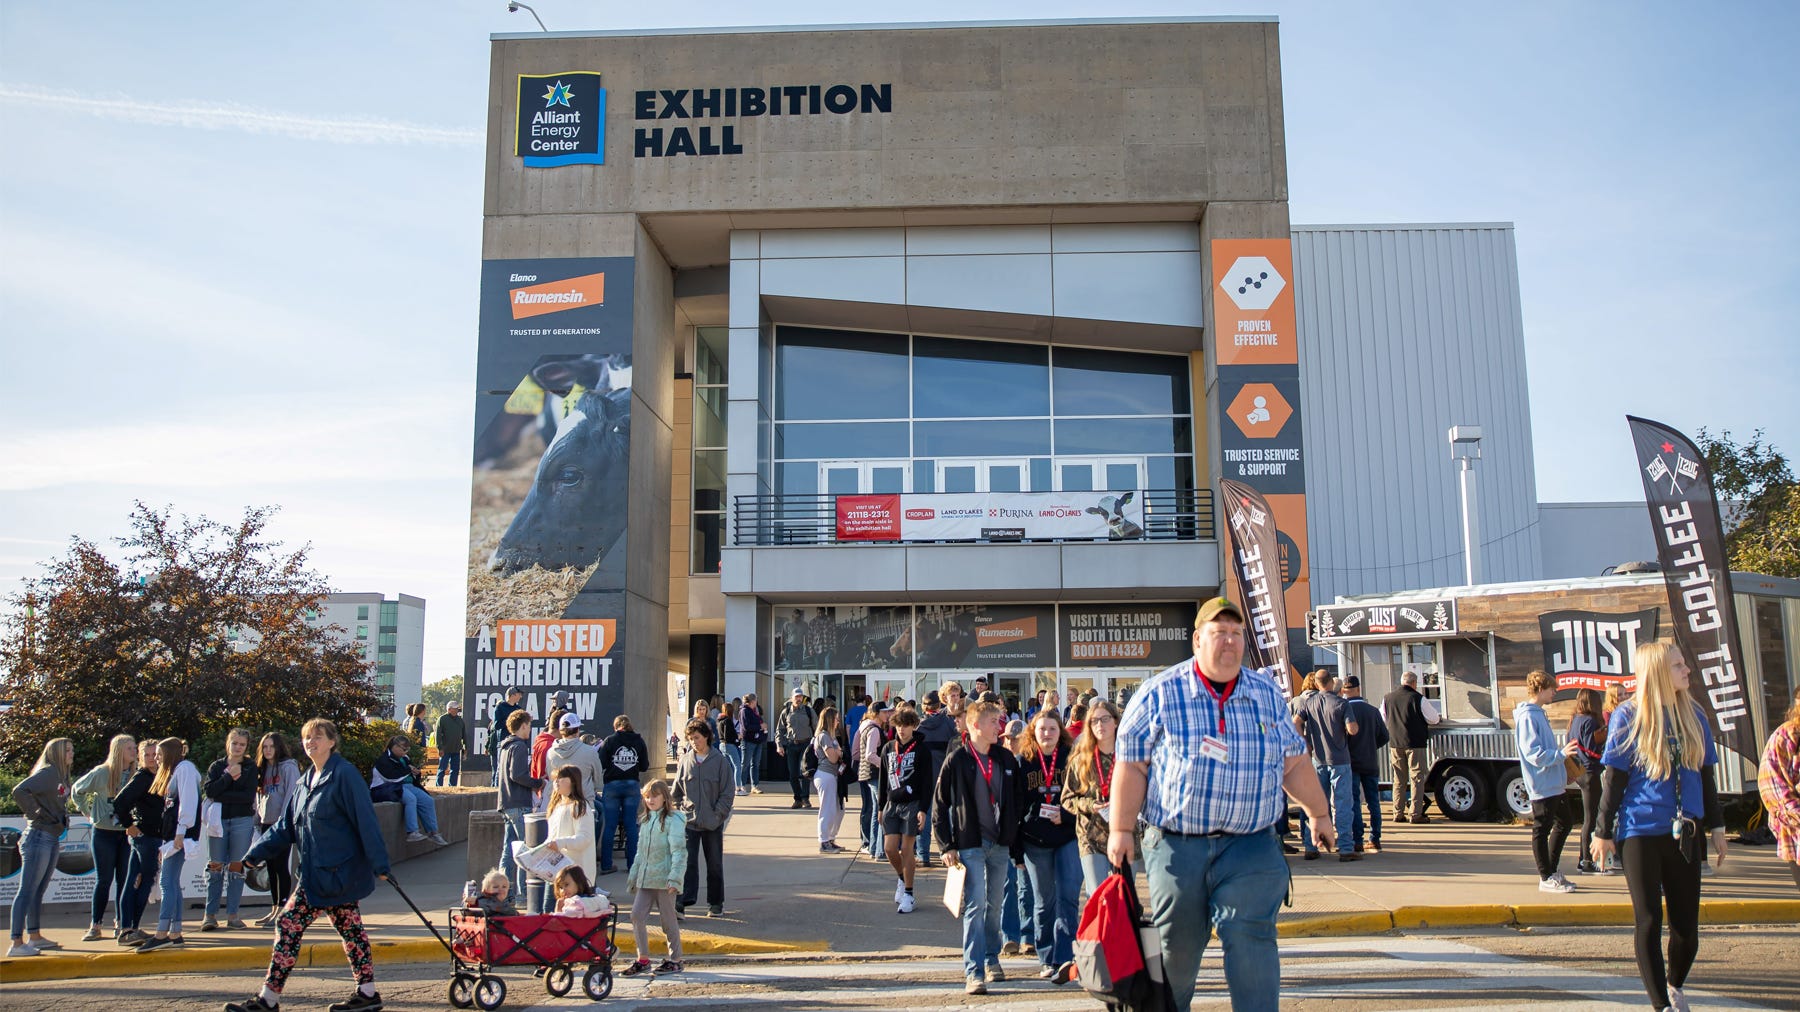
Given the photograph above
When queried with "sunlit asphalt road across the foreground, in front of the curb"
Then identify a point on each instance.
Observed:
(1495, 970)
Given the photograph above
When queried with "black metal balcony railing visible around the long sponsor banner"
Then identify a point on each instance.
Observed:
(1169, 514)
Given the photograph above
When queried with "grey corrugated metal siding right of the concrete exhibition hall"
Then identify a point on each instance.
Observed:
(1403, 334)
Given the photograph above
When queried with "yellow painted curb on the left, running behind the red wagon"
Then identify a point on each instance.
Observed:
(80, 966)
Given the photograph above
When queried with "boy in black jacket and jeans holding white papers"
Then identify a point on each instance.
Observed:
(980, 806)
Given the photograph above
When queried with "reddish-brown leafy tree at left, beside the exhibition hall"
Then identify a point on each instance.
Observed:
(193, 628)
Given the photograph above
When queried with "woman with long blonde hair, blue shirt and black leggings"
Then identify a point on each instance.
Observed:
(1660, 786)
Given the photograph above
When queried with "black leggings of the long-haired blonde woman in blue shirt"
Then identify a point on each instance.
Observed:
(1657, 872)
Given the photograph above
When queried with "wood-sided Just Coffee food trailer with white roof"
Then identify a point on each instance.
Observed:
(1471, 649)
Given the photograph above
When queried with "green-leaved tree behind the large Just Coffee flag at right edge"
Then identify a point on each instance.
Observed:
(1759, 501)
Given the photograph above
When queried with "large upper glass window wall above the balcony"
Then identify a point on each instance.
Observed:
(861, 411)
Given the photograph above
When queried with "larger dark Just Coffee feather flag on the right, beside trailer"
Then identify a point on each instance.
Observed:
(1691, 550)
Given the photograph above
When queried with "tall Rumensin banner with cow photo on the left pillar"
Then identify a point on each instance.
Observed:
(548, 543)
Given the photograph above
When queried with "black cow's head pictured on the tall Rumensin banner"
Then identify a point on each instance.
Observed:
(577, 503)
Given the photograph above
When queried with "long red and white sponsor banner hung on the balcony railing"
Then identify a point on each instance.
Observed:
(991, 516)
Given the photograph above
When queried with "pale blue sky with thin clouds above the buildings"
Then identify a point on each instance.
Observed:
(219, 291)
